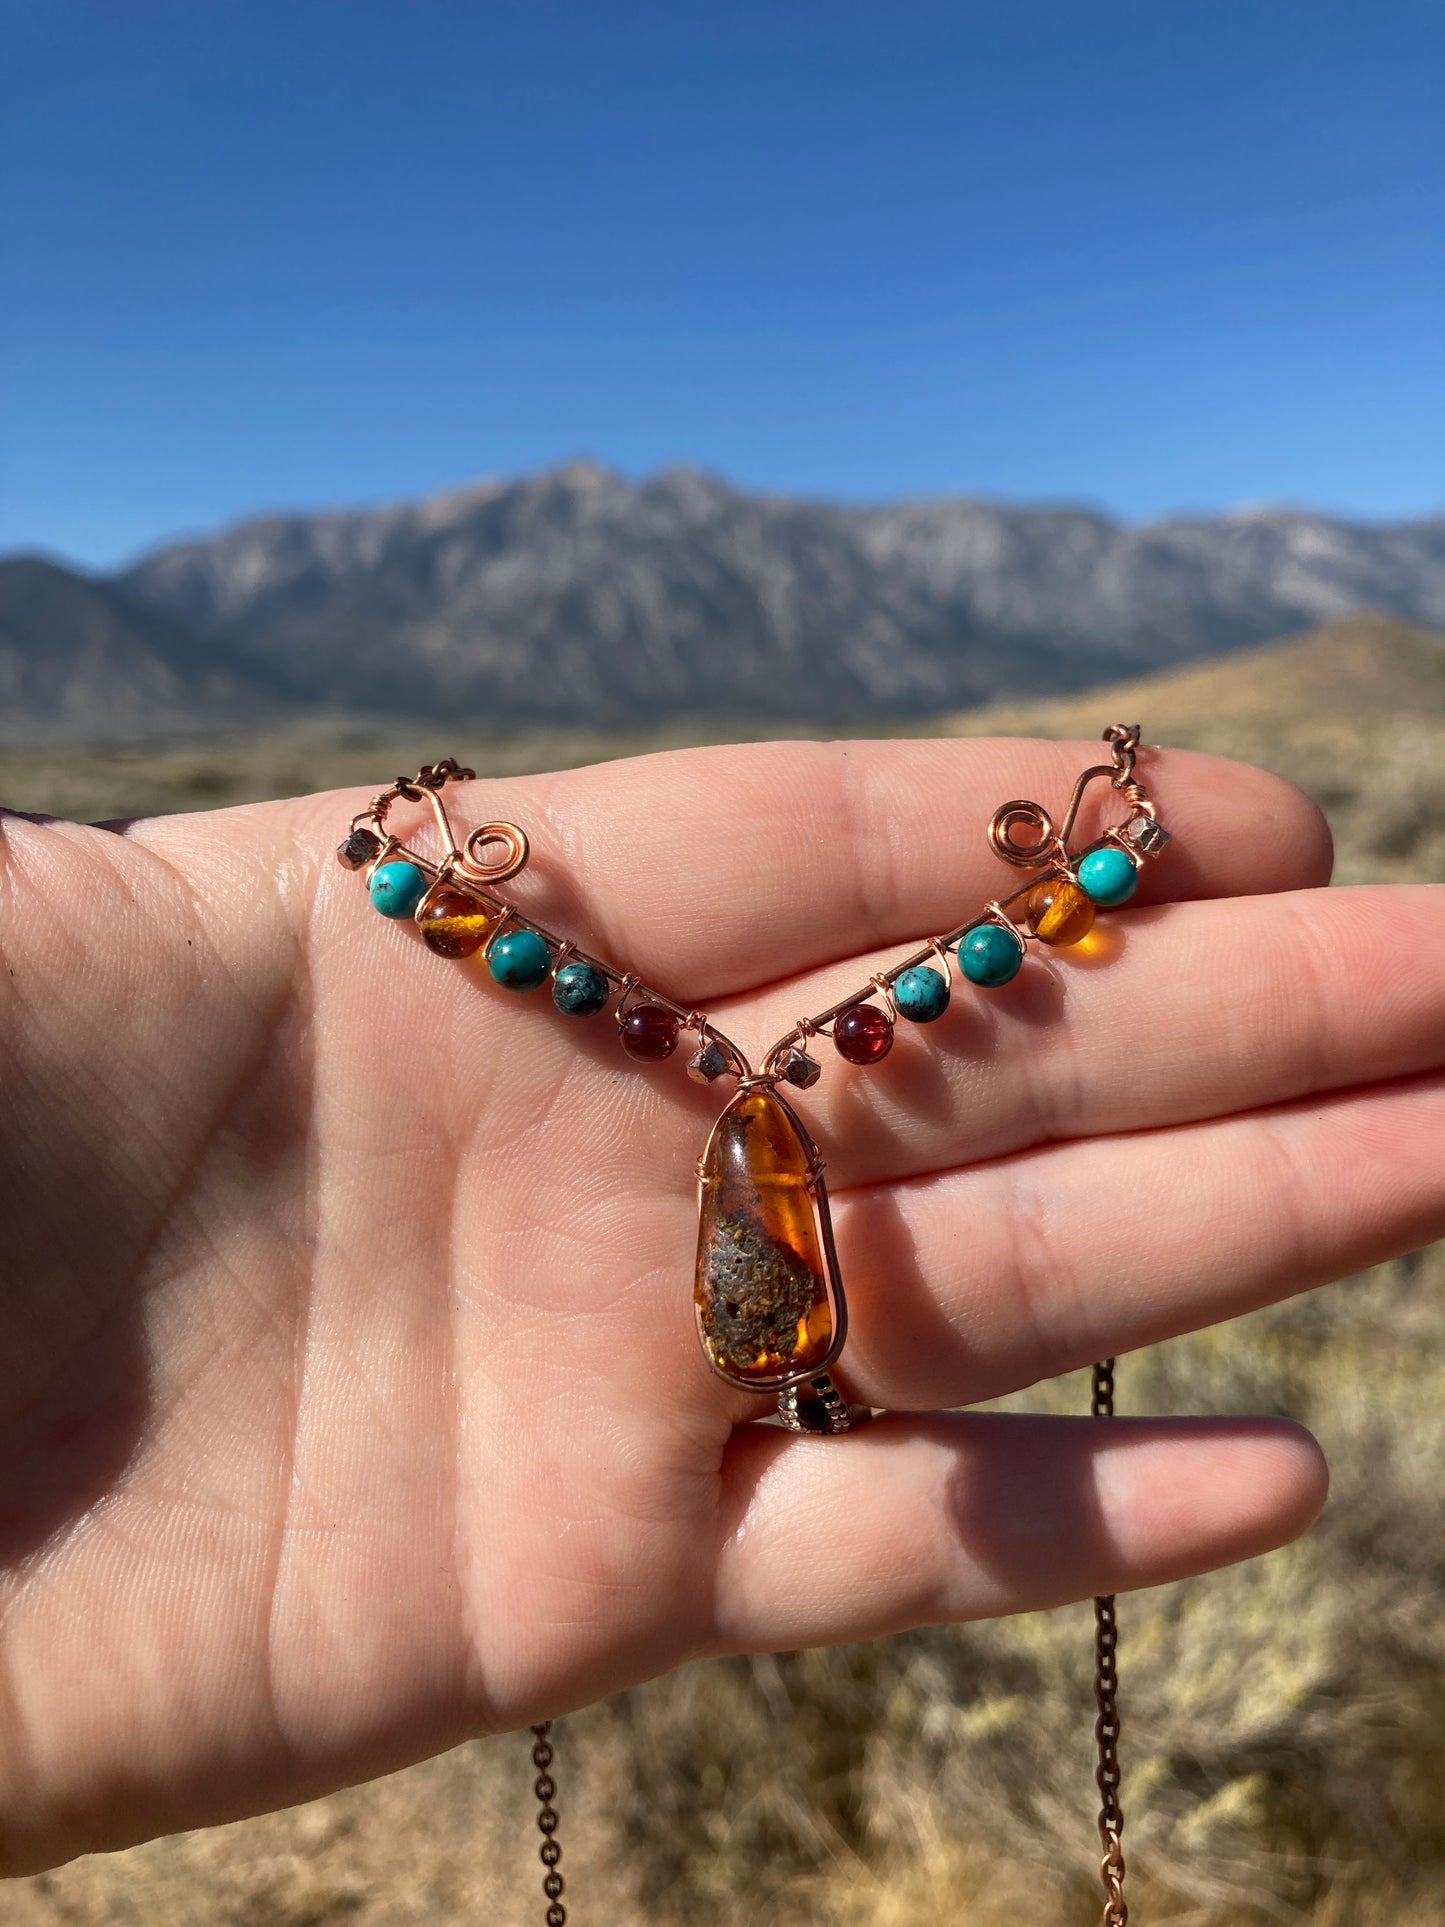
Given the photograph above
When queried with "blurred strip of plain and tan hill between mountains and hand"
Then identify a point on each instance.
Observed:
(1307, 706)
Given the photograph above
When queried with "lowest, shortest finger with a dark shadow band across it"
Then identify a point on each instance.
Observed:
(922, 1521)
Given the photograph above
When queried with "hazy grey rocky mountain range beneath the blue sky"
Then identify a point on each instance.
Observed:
(577, 596)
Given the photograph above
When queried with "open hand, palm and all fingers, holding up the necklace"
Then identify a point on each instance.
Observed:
(352, 1394)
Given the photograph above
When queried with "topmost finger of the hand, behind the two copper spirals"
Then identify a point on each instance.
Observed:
(718, 870)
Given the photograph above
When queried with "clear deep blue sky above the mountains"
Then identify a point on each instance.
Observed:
(1153, 257)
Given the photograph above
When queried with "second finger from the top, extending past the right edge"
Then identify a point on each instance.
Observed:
(1186, 1013)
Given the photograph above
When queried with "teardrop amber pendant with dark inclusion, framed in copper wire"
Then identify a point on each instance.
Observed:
(768, 1294)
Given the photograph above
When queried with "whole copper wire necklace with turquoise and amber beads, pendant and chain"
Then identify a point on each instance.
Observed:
(768, 1290)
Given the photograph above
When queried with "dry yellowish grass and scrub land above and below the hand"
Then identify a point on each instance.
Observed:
(1284, 1722)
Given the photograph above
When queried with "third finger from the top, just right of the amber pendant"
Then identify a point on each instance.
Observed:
(966, 1286)
